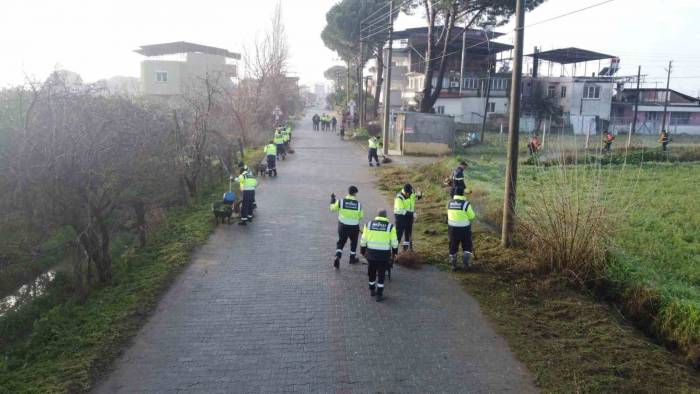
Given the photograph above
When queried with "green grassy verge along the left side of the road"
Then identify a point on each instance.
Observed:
(70, 341)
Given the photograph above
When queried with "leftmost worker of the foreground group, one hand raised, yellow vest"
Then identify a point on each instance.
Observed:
(349, 215)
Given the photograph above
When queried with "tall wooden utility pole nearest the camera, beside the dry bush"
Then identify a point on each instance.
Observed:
(513, 130)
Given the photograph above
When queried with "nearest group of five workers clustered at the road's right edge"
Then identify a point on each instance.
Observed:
(380, 239)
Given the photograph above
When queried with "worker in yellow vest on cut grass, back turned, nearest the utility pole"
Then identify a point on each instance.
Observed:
(459, 230)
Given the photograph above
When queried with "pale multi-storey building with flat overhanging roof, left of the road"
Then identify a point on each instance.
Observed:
(174, 68)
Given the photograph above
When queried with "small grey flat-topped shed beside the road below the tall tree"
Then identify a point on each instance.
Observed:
(423, 134)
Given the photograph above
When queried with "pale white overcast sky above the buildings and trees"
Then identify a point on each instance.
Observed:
(96, 38)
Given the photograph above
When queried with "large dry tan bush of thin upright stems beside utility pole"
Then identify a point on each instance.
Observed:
(565, 221)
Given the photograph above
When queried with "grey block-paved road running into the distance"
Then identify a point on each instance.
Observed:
(261, 309)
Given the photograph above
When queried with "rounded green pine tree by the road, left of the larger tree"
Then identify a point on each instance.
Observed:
(343, 32)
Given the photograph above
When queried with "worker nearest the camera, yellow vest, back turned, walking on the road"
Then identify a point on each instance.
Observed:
(379, 245)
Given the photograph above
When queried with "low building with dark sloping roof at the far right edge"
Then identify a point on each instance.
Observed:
(682, 117)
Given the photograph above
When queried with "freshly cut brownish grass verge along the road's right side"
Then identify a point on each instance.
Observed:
(567, 339)
